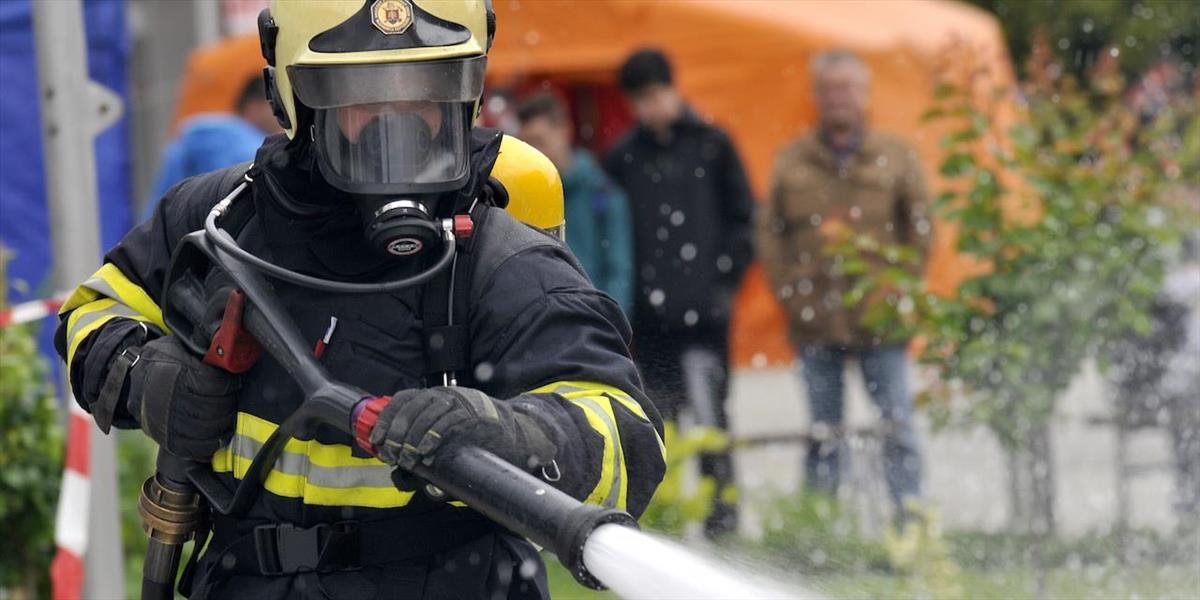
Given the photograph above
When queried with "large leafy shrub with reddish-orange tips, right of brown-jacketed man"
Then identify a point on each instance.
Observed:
(1073, 244)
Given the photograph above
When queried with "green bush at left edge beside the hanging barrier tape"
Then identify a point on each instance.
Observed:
(31, 460)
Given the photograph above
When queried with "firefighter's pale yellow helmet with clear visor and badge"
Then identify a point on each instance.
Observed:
(386, 89)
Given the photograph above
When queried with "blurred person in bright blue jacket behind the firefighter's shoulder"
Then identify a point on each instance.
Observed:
(213, 141)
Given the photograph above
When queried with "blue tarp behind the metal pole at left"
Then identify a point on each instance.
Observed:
(23, 218)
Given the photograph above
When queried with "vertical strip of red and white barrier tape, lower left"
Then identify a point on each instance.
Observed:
(71, 520)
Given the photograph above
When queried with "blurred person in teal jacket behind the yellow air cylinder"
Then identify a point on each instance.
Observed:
(598, 230)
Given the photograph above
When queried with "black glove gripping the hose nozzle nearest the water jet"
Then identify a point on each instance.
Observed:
(417, 423)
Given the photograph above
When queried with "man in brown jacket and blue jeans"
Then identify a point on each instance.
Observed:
(844, 176)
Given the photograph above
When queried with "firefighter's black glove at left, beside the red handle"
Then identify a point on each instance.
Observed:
(188, 407)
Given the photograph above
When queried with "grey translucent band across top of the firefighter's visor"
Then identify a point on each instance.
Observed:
(340, 86)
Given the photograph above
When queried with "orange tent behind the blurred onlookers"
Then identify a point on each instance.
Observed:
(742, 63)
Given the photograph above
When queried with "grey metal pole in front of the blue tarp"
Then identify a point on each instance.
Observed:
(74, 111)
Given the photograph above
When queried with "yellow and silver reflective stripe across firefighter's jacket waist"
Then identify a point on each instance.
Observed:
(321, 475)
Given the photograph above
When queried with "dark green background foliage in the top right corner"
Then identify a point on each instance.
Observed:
(1143, 32)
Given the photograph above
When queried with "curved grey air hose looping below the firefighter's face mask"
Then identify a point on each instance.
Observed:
(449, 230)
